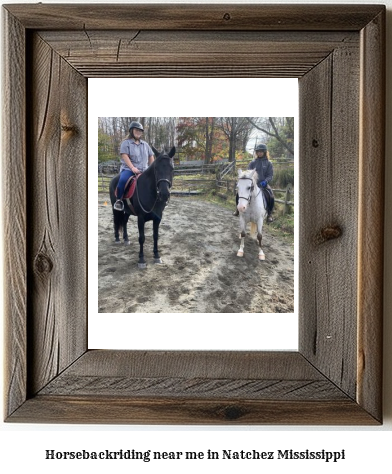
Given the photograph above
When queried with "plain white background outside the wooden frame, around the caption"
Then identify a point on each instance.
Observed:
(367, 448)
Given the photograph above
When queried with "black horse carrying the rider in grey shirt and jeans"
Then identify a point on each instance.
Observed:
(148, 201)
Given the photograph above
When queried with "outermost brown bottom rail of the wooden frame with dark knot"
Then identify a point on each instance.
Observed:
(117, 410)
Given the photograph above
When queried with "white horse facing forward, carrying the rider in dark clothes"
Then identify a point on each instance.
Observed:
(251, 207)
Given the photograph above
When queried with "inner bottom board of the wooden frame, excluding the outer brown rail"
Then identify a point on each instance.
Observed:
(205, 374)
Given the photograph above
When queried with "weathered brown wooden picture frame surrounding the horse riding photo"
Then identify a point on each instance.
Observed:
(338, 54)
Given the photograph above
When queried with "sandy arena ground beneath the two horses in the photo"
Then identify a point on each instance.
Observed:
(201, 273)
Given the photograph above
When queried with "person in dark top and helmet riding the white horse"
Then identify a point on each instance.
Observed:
(265, 172)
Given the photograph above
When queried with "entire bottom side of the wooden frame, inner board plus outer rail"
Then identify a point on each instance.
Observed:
(193, 388)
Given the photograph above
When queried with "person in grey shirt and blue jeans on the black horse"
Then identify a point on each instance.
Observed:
(136, 156)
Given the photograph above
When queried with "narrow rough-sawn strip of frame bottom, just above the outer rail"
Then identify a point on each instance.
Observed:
(188, 387)
